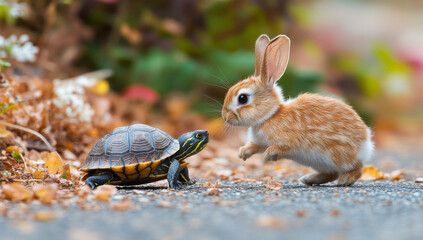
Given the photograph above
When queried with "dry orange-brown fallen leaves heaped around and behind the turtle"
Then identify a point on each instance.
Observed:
(47, 128)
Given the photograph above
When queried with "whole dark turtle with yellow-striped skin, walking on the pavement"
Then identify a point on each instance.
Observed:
(138, 154)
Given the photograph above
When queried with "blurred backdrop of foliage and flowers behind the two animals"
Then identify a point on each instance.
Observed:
(171, 58)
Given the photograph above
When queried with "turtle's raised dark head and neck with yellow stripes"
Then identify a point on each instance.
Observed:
(192, 143)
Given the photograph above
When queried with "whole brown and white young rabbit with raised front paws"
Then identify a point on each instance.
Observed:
(313, 130)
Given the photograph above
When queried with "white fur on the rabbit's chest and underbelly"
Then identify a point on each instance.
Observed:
(320, 160)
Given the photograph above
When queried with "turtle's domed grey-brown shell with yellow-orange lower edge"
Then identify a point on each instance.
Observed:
(131, 152)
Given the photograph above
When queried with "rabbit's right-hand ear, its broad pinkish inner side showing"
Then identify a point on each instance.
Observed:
(275, 60)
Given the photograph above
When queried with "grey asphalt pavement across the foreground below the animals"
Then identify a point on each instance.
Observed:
(369, 210)
